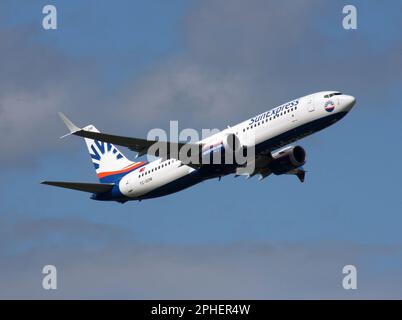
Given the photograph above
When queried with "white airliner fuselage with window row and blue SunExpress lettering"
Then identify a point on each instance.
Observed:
(267, 131)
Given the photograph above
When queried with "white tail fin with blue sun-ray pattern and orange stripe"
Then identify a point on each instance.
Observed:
(110, 164)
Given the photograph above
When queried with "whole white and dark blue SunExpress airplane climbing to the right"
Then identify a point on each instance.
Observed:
(268, 134)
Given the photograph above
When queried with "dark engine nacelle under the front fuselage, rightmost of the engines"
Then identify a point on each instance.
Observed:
(287, 159)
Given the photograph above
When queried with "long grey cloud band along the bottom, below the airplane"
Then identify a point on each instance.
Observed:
(99, 261)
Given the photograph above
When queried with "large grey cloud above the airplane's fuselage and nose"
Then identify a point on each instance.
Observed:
(242, 58)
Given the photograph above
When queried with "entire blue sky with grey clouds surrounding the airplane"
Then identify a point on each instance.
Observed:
(130, 66)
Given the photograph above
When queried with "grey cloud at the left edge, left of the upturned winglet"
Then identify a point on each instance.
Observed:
(36, 81)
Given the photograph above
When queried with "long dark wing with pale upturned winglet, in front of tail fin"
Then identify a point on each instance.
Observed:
(141, 146)
